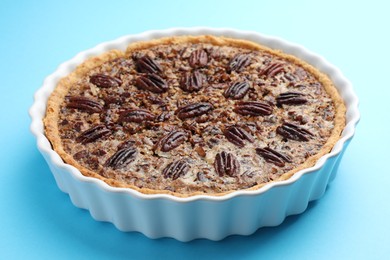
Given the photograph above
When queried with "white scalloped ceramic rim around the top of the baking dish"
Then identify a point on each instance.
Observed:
(38, 109)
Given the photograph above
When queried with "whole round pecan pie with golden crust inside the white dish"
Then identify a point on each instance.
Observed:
(193, 115)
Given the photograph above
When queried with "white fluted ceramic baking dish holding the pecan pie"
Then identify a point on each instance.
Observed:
(201, 216)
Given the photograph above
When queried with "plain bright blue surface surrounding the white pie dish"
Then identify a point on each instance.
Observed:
(351, 221)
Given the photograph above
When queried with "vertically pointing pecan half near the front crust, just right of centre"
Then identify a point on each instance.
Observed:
(226, 164)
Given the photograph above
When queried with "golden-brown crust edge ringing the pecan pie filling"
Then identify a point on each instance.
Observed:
(59, 93)
